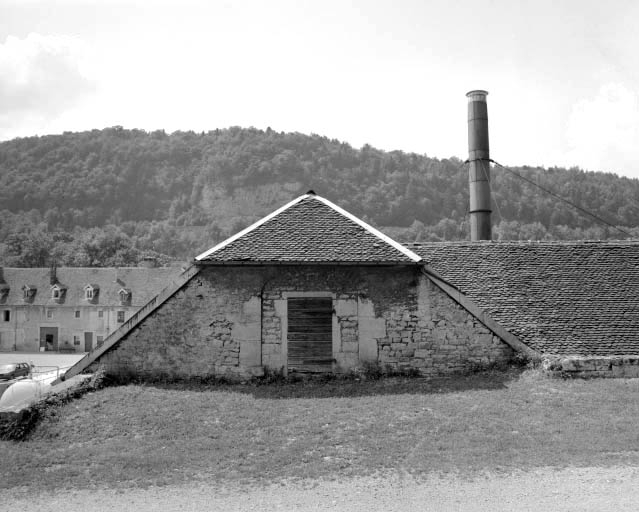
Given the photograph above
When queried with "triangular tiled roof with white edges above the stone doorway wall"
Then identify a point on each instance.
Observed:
(310, 229)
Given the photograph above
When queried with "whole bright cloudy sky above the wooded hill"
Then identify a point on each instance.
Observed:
(562, 76)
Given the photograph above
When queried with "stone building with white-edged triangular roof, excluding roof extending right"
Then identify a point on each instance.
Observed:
(309, 288)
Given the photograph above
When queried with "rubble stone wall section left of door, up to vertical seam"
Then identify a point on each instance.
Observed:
(211, 327)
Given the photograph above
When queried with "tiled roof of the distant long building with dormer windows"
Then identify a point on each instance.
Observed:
(145, 283)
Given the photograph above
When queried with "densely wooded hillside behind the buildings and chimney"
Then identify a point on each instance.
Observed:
(107, 197)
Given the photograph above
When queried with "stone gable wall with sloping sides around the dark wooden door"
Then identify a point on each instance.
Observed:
(232, 321)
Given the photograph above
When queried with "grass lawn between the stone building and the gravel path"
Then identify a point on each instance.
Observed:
(140, 435)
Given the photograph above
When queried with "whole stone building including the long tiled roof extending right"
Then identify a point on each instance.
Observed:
(311, 288)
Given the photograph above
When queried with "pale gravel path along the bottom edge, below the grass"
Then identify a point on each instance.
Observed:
(573, 489)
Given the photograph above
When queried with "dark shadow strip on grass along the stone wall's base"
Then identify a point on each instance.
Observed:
(342, 387)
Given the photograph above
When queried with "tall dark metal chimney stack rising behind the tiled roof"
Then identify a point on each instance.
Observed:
(479, 168)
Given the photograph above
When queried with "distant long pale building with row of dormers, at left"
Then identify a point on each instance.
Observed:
(72, 309)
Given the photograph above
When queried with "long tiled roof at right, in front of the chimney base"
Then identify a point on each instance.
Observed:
(557, 297)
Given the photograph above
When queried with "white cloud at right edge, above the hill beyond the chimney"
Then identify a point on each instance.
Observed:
(603, 132)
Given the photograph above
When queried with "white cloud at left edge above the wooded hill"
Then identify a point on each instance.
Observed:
(40, 78)
